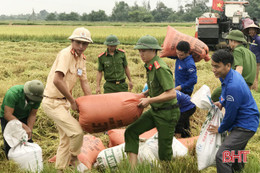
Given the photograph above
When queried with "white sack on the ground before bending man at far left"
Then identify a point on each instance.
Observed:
(27, 155)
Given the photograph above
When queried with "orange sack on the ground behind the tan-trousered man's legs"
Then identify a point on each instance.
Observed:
(90, 149)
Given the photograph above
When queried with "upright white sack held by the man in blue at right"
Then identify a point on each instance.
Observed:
(207, 144)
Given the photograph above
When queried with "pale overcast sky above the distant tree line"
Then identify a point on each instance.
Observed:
(14, 7)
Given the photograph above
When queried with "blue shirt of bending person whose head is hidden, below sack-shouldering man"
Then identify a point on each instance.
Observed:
(184, 101)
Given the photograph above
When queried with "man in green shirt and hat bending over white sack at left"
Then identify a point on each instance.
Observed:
(21, 102)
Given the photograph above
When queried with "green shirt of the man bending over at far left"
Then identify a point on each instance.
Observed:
(15, 98)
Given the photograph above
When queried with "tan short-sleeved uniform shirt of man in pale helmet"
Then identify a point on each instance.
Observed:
(71, 65)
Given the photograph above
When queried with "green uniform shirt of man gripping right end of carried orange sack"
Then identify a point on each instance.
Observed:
(159, 80)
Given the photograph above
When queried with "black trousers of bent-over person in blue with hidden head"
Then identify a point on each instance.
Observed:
(183, 125)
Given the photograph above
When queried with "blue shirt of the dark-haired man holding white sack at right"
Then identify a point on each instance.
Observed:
(240, 106)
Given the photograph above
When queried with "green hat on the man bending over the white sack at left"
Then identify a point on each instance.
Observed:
(34, 90)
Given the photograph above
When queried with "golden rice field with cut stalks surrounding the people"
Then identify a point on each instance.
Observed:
(27, 53)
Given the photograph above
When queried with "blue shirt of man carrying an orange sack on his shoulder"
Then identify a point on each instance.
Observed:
(185, 73)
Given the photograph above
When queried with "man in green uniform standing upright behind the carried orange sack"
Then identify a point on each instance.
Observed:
(114, 64)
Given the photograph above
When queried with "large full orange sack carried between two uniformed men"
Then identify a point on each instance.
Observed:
(98, 113)
